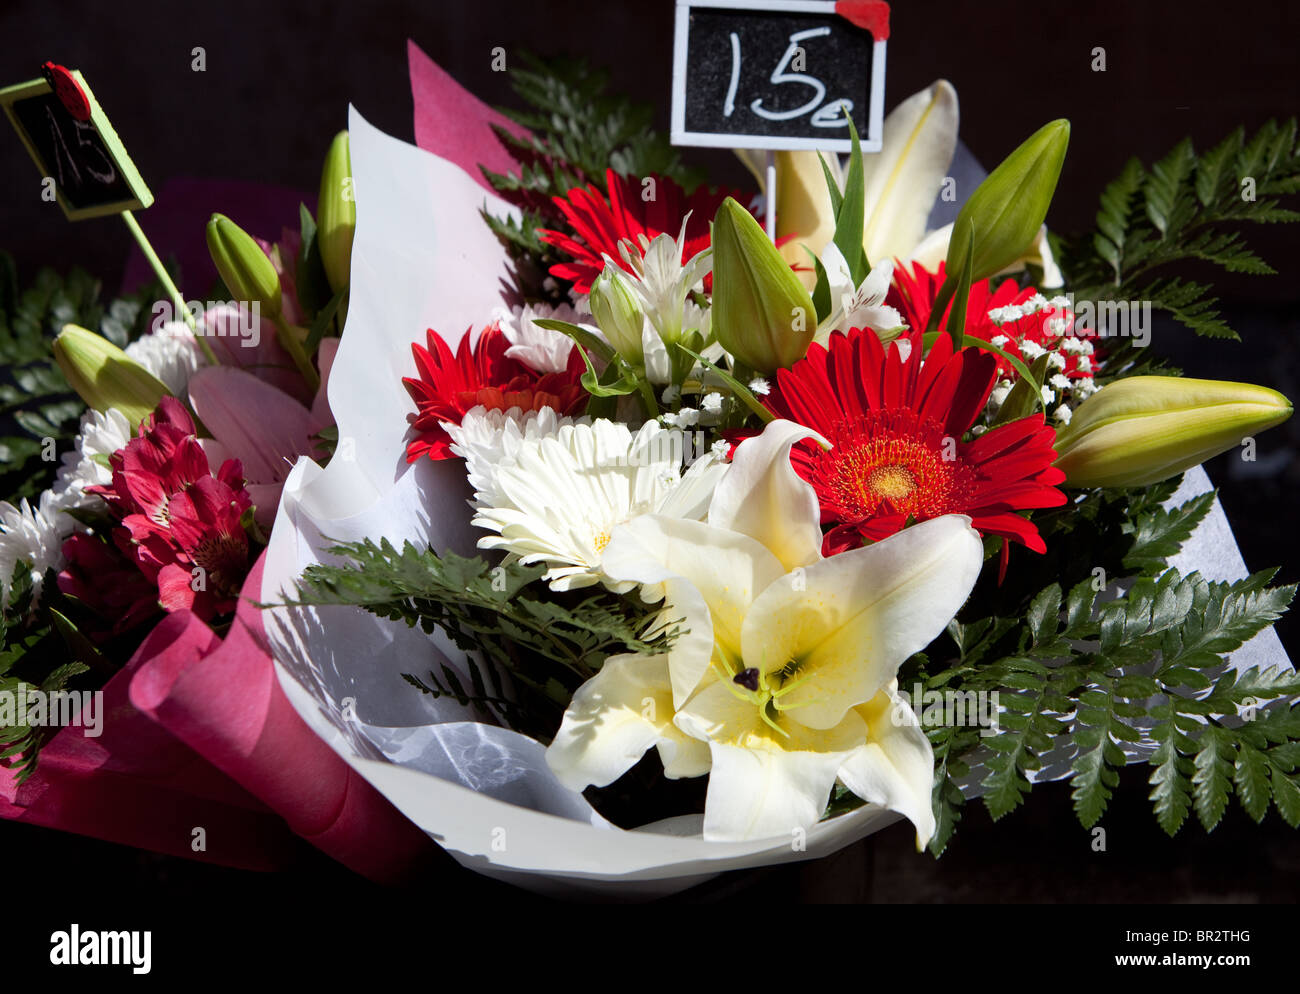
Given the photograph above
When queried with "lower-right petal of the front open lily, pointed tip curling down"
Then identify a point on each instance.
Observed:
(896, 767)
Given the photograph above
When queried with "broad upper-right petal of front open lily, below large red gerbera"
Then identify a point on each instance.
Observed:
(850, 622)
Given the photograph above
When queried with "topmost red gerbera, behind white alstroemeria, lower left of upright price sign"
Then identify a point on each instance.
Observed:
(603, 224)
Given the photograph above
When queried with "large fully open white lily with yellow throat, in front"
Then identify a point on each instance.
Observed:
(785, 662)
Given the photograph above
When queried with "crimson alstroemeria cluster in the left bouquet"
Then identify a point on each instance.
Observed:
(180, 523)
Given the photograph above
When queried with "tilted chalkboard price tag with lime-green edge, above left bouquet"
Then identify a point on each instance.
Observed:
(73, 145)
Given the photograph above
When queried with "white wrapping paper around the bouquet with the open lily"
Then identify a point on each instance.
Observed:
(424, 258)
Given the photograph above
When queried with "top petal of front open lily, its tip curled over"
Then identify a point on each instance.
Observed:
(762, 497)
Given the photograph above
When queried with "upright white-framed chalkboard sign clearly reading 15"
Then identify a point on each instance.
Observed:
(779, 73)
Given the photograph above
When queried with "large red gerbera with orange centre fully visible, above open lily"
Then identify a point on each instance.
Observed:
(896, 427)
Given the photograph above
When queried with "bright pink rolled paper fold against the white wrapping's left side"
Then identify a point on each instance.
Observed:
(229, 709)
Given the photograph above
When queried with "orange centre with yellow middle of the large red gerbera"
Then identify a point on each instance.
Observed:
(892, 461)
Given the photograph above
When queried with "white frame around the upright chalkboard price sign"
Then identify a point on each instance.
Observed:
(682, 137)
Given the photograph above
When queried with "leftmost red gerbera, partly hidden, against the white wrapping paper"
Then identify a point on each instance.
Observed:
(452, 385)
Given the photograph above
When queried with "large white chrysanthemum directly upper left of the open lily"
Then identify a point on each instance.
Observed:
(560, 498)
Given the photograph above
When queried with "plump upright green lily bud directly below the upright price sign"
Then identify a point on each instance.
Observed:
(761, 311)
